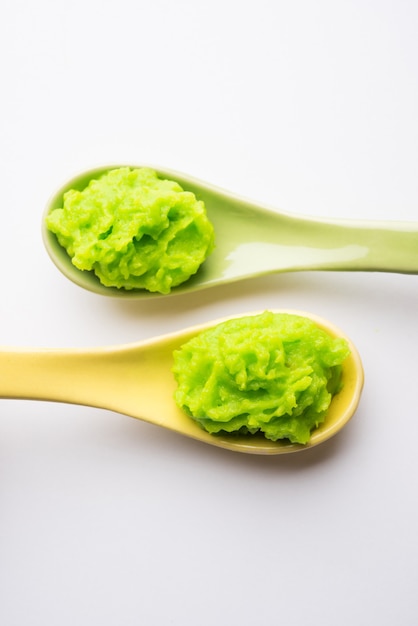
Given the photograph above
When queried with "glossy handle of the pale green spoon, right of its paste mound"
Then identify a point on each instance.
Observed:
(261, 240)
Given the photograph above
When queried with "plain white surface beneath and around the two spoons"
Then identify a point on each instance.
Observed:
(308, 106)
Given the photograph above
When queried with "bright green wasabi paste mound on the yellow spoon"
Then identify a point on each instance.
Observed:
(273, 373)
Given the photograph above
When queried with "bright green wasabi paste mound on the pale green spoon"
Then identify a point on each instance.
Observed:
(134, 230)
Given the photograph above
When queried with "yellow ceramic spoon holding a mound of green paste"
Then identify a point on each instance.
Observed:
(136, 380)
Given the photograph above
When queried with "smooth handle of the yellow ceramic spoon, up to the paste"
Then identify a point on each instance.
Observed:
(126, 379)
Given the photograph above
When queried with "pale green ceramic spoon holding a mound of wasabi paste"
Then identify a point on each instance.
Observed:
(252, 240)
